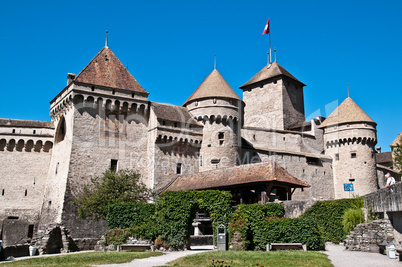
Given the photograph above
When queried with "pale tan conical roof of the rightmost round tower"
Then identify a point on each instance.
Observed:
(347, 112)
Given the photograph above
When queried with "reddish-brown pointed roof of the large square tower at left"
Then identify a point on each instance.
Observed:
(105, 69)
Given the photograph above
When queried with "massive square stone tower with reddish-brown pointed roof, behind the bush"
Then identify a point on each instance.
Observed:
(101, 122)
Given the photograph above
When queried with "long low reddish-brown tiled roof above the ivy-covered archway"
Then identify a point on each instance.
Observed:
(244, 174)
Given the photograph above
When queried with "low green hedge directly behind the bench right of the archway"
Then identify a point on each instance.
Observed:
(288, 230)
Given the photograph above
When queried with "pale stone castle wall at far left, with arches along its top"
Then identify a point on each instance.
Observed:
(25, 154)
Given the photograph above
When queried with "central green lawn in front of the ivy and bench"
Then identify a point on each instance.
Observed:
(255, 258)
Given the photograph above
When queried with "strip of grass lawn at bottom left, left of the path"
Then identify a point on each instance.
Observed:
(84, 259)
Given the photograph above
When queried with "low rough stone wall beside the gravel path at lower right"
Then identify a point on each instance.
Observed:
(367, 236)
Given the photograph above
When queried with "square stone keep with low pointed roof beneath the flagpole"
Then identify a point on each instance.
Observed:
(273, 99)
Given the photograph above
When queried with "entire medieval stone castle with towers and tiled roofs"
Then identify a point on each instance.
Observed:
(259, 147)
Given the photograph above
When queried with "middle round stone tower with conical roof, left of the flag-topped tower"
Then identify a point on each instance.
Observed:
(218, 107)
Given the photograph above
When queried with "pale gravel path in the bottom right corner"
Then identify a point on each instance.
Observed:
(343, 258)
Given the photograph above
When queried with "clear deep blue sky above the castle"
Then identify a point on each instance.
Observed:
(170, 47)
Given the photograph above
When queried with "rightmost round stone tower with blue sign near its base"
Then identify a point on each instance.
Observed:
(350, 137)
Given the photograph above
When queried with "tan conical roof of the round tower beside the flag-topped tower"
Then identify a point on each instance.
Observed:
(213, 86)
